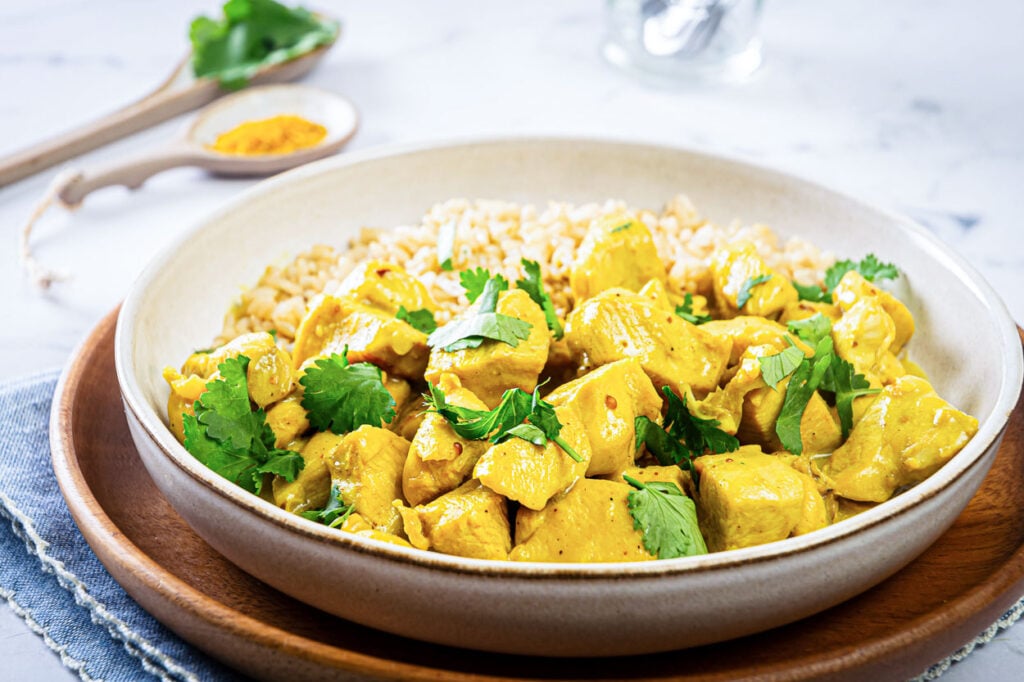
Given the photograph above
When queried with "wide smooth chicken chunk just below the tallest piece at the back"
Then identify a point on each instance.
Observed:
(618, 324)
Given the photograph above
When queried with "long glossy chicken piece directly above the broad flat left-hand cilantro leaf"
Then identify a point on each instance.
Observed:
(332, 324)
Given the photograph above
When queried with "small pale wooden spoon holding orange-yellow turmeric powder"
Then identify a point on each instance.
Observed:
(331, 111)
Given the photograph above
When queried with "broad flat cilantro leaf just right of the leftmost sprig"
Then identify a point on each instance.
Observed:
(343, 398)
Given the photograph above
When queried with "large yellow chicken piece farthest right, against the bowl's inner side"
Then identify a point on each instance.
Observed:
(905, 437)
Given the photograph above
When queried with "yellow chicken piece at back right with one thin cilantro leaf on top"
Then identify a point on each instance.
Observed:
(732, 268)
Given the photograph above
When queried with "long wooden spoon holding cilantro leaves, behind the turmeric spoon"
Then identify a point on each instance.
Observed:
(180, 94)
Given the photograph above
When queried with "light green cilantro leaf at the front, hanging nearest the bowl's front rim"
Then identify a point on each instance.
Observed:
(667, 519)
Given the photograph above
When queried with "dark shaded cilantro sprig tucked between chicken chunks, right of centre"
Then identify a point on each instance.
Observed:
(690, 437)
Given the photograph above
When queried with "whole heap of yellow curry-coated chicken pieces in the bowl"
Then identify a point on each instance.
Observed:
(631, 347)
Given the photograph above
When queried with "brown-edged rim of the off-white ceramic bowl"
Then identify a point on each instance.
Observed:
(989, 434)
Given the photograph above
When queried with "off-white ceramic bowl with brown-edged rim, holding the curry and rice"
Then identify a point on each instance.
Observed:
(966, 339)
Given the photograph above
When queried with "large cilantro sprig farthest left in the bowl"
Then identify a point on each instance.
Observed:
(232, 439)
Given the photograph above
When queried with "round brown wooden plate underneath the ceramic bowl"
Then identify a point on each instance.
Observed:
(954, 591)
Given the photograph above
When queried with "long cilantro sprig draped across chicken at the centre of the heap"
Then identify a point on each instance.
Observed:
(520, 415)
